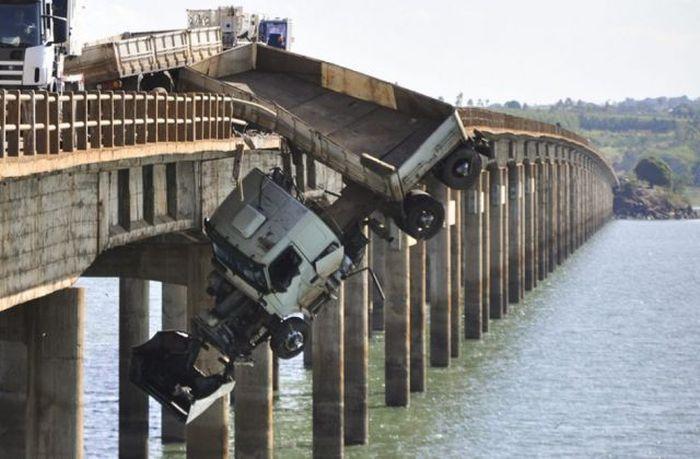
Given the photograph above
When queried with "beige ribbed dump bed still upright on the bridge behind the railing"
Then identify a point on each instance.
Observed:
(130, 60)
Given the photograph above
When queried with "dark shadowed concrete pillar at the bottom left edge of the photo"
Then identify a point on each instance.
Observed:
(13, 382)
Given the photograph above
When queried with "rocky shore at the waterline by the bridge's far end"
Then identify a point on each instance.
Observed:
(633, 201)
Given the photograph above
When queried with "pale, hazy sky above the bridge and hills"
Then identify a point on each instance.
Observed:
(533, 51)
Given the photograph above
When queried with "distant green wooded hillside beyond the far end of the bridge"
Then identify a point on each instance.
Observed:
(628, 131)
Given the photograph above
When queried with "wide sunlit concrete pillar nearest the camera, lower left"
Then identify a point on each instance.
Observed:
(56, 338)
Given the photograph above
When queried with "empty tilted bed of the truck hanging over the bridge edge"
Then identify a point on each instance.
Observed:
(375, 133)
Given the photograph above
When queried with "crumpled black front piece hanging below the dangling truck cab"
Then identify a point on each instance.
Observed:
(177, 370)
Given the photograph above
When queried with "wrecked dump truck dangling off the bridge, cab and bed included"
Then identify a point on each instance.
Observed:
(279, 258)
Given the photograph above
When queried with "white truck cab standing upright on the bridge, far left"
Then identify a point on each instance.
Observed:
(35, 38)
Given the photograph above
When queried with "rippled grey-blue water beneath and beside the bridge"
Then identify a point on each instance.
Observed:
(602, 360)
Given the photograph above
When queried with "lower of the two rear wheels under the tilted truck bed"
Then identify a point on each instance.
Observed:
(423, 216)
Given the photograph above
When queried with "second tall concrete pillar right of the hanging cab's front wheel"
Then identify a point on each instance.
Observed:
(356, 357)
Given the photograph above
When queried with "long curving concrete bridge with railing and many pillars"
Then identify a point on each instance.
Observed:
(117, 184)
